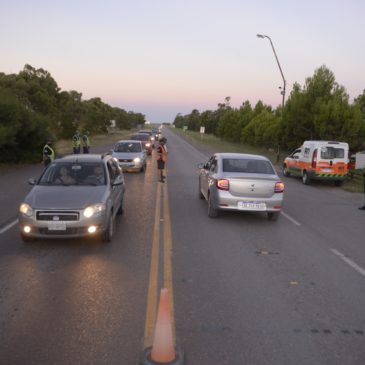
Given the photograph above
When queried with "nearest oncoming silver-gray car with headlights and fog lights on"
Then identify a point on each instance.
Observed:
(76, 196)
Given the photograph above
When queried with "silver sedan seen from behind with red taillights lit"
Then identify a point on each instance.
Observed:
(241, 182)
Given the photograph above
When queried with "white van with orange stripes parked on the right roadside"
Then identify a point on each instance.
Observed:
(318, 160)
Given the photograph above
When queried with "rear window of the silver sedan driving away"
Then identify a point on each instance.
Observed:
(247, 166)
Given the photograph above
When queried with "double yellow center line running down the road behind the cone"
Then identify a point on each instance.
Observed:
(164, 241)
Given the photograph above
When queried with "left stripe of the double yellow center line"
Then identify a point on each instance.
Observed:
(153, 279)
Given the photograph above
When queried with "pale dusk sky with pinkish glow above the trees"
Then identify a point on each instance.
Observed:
(164, 57)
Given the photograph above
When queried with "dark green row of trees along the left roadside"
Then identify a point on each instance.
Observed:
(33, 108)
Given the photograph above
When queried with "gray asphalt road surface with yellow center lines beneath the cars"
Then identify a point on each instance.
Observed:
(245, 290)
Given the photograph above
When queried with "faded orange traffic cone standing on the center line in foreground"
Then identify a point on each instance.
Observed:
(163, 349)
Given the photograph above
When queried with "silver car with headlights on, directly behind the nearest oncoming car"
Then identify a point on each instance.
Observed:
(131, 155)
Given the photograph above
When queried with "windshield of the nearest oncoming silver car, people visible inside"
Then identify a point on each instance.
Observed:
(69, 174)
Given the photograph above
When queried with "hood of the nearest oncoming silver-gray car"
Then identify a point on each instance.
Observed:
(65, 197)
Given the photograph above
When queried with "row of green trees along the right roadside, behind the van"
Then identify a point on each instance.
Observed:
(318, 110)
